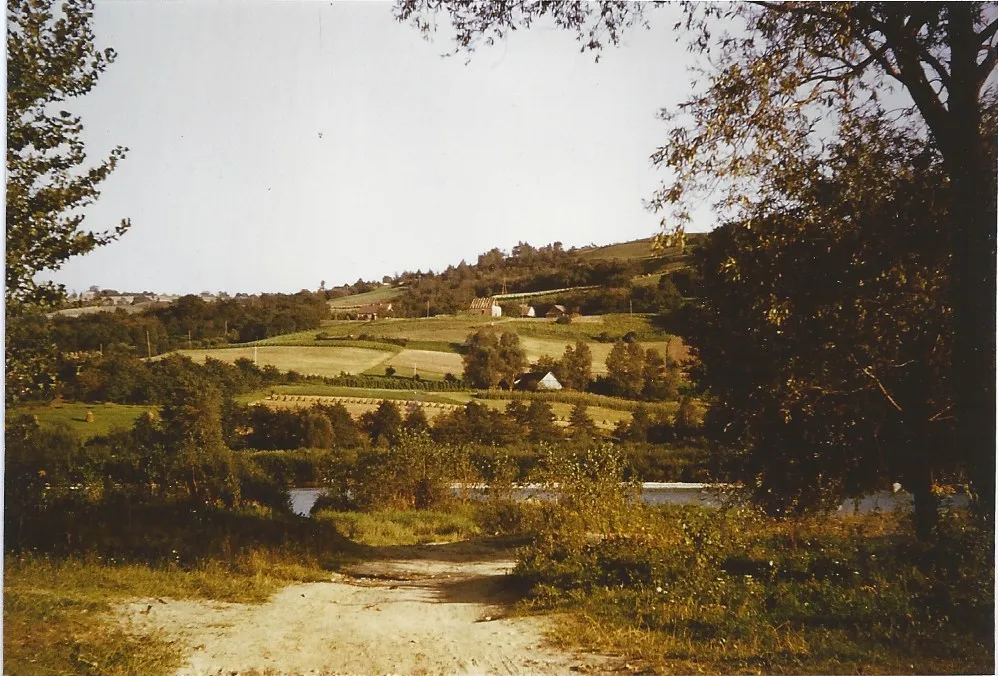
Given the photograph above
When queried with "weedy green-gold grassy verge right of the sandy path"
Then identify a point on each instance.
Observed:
(690, 589)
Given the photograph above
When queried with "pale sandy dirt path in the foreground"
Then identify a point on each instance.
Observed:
(411, 616)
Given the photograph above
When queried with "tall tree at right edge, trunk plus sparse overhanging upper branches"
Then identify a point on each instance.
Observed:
(783, 71)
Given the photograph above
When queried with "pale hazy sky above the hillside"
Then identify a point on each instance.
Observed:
(275, 145)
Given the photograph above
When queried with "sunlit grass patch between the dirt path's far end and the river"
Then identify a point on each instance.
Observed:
(413, 527)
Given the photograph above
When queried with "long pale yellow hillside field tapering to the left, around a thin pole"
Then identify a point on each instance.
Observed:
(323, 361)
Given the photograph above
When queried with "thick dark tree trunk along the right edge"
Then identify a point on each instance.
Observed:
(972, 210)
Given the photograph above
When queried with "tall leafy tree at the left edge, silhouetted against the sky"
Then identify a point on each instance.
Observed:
(51, 58)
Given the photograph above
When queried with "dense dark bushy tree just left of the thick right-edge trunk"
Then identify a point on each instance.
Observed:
(833, 376)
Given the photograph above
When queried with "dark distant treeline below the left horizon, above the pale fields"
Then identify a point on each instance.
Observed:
(188, 322)
